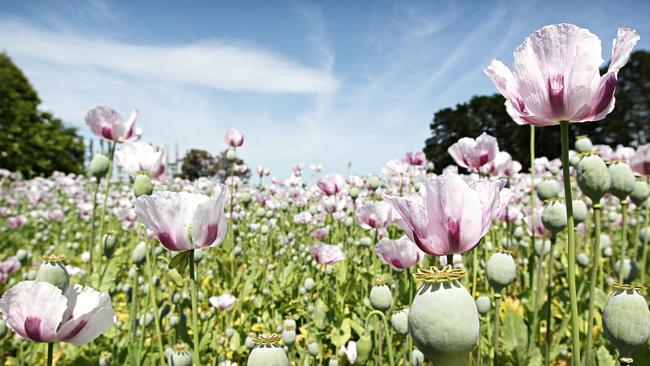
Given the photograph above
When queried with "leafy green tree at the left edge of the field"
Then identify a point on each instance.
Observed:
(31, 141)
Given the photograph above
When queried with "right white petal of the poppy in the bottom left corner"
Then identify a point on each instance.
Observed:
(92, 314)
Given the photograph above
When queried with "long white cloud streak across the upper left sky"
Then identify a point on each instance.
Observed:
(211, 64)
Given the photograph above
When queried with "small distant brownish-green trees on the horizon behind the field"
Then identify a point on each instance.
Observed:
(200, 163)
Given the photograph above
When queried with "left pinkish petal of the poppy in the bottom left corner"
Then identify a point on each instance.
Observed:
(34, 310)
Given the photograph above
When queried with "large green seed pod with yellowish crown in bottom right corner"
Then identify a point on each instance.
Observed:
(626, 320)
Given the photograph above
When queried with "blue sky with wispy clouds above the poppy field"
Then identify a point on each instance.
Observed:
(307, 82)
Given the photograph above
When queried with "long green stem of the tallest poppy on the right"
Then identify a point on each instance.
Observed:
(575, 319)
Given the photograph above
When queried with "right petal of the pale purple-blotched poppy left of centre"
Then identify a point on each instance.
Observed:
(209, 222)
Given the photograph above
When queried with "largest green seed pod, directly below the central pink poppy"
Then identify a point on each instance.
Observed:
(444, 322)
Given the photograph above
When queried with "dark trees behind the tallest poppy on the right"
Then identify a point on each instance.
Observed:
(627, 124)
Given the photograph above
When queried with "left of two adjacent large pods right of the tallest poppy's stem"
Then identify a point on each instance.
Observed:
(593, 177)
